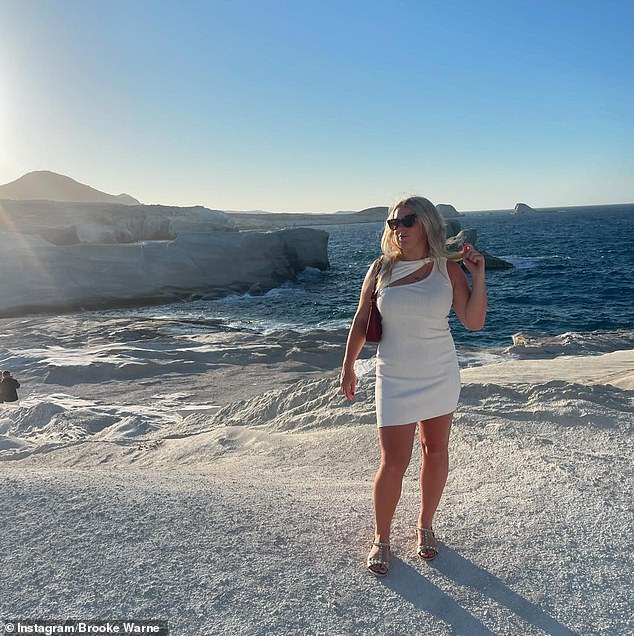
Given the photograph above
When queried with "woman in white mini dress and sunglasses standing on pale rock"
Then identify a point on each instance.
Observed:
(417, 376)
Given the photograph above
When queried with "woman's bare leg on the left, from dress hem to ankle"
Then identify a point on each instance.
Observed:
(396, 451)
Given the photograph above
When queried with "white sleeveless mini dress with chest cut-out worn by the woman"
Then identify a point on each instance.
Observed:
(417, 374)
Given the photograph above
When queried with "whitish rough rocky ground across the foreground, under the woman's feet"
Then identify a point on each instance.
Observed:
(256, 518)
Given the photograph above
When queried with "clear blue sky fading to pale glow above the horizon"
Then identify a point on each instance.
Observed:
(323, 106)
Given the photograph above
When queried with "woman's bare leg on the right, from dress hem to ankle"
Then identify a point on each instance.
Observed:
(434, 440)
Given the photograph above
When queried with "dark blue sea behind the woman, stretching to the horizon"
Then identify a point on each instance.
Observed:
(572, 274)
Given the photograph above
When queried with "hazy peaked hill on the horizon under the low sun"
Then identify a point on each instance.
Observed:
(50, 186)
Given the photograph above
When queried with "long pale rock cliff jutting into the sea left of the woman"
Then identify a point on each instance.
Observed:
(37, 275)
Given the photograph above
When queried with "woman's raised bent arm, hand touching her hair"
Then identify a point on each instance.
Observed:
(469, 303)
